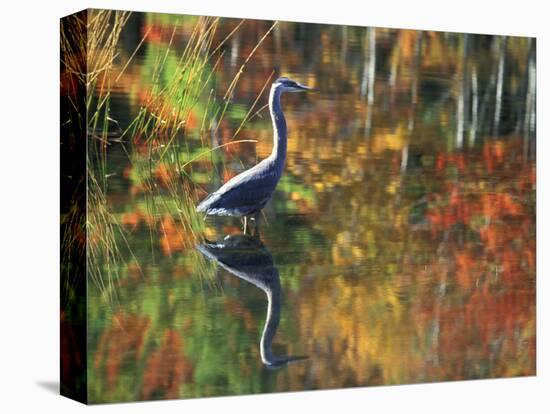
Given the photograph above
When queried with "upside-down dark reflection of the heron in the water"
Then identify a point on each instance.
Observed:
(247, 258)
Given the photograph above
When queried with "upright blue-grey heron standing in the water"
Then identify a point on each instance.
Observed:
(247, 193)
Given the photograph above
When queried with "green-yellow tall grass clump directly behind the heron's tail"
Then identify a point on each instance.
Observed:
(163, 124)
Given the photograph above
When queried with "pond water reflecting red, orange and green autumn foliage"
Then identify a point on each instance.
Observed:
(398, 248)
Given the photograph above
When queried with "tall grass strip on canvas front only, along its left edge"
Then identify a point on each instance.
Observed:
(104, 258)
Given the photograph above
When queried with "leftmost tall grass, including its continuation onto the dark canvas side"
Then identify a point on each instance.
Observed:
(88, 47)
